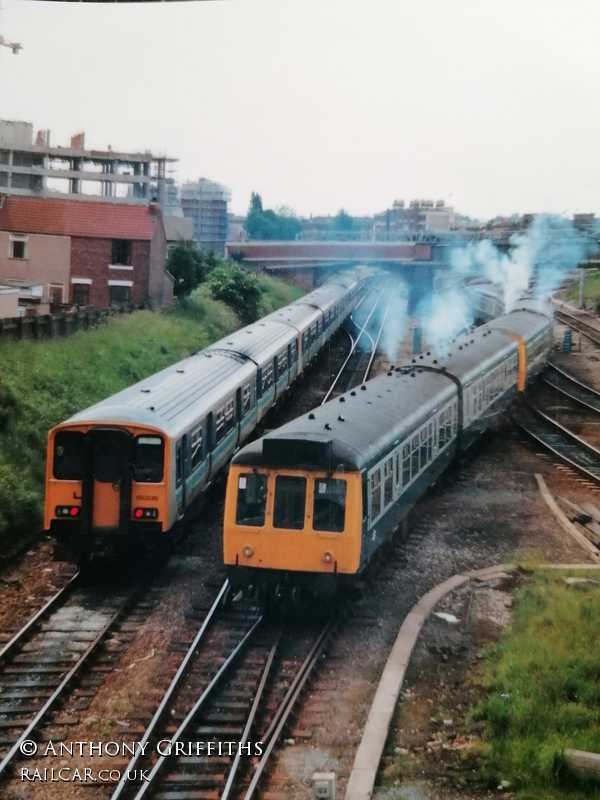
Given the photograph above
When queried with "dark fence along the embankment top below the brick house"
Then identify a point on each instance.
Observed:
(47, 326)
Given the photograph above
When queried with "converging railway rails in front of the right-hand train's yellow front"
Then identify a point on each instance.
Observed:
(236, 686)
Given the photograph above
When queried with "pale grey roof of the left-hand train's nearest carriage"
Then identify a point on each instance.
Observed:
(169, 400)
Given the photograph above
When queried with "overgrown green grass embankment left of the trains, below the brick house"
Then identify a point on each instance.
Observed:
(42, 383)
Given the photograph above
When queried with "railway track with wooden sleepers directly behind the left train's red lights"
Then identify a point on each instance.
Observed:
(61, 650)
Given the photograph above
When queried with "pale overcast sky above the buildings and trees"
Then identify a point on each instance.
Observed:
(319, 104)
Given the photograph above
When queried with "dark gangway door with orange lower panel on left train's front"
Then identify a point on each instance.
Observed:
(107, 485)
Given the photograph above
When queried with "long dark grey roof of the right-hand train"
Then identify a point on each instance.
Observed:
(352, 431)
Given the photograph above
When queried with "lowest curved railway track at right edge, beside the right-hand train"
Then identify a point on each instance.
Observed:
(559, 441)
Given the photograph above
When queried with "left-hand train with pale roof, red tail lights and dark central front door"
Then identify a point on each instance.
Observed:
(128, 467)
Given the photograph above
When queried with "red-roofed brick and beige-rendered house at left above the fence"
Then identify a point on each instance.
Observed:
(85, 253)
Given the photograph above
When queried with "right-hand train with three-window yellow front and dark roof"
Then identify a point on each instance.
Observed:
(308, 505)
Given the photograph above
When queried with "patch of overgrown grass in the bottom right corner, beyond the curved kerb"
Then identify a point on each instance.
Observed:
(543, 689)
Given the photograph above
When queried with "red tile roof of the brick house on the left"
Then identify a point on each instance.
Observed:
(76, 218)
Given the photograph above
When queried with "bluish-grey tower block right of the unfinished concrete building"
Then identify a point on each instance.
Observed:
(205, 203)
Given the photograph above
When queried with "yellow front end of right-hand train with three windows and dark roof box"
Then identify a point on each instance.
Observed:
(292, 525)
